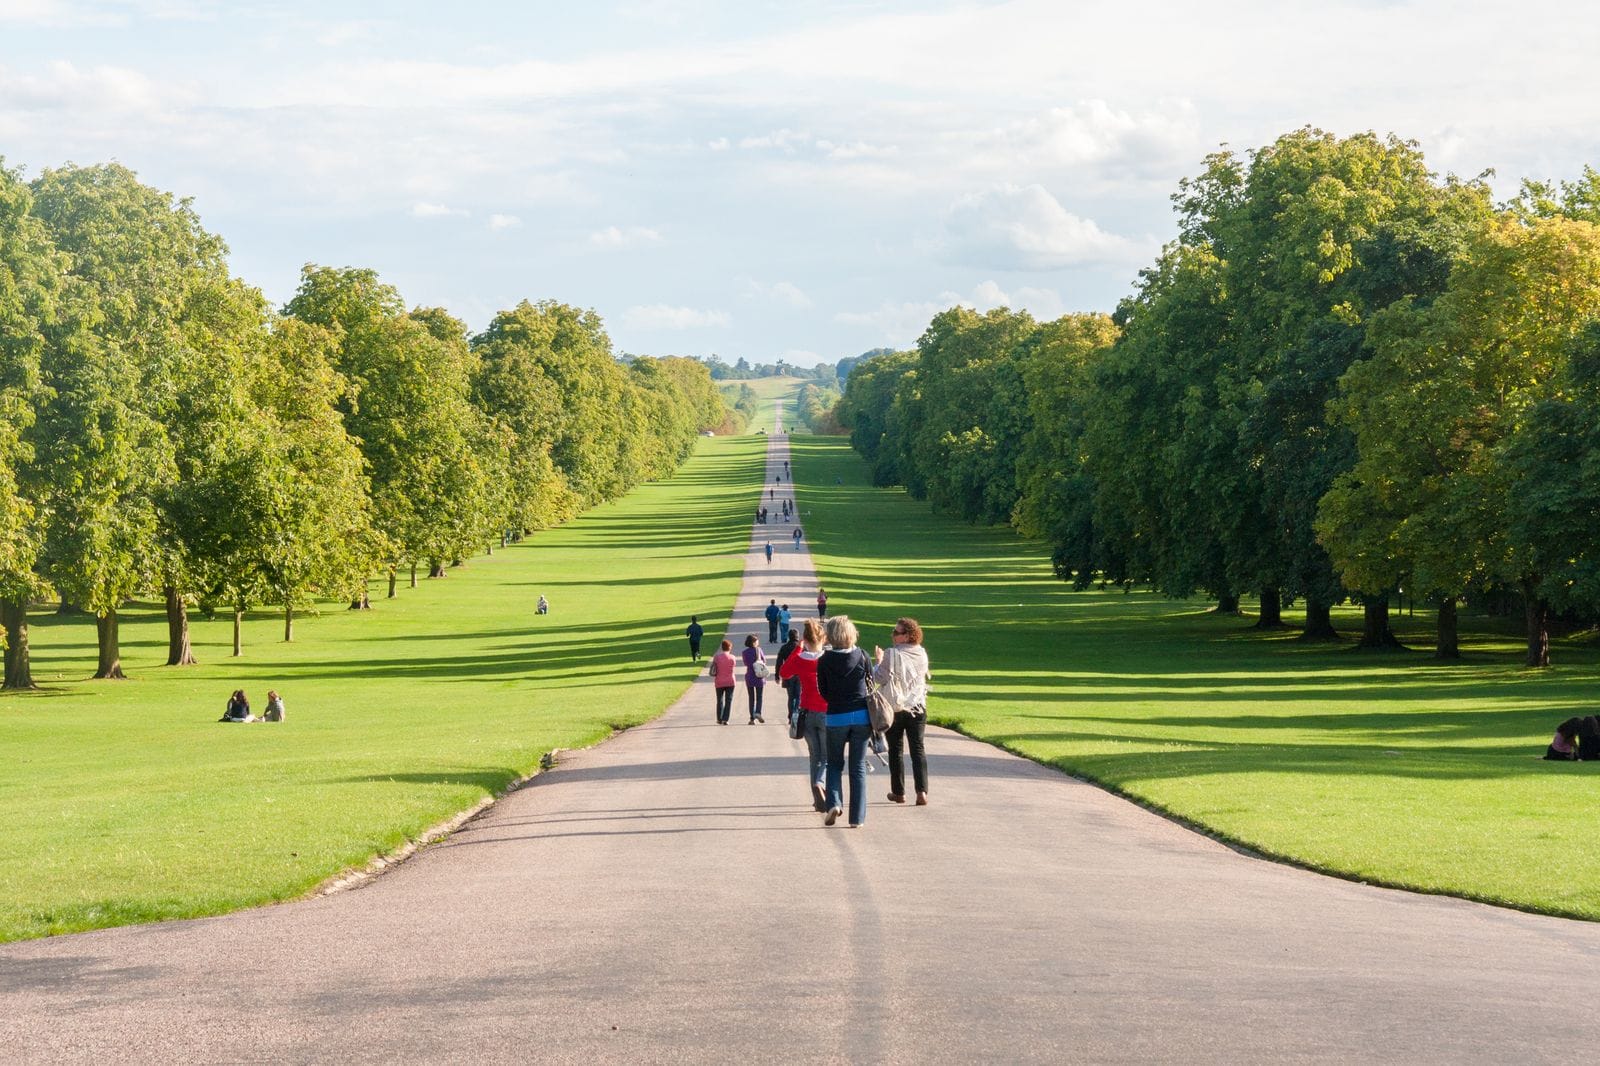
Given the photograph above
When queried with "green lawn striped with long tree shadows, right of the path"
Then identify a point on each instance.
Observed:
(1385, 767)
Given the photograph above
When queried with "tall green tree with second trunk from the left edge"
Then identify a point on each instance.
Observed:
(135, 255)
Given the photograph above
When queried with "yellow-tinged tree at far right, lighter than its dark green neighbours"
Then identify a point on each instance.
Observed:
(1439, 407)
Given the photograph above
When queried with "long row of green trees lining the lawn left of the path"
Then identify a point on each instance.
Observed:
(162, 430)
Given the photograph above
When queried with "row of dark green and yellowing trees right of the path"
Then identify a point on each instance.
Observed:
(1346, 377)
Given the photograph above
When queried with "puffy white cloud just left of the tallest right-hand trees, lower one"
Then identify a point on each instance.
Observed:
(1023, 228)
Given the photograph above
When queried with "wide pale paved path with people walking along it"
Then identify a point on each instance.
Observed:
(671, 897)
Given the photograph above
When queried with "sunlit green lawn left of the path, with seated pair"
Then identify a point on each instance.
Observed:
(127, 803)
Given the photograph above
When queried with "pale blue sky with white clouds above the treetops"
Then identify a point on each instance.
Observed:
(761, 180)
